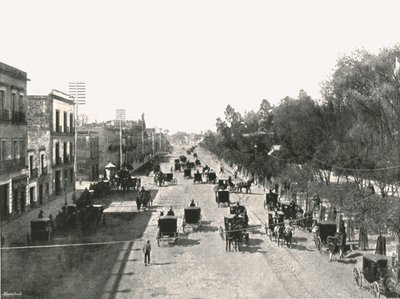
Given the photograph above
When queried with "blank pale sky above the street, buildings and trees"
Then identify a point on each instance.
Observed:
(182, 62)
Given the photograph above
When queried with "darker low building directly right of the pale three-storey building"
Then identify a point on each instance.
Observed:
(87, 155)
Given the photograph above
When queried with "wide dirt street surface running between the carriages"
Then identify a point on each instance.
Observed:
(198, 266)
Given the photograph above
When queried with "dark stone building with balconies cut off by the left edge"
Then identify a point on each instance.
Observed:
(13, 134)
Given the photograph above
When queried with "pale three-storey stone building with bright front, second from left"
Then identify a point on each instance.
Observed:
(57, 113)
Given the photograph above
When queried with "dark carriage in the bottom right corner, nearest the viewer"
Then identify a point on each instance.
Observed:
(377, 276)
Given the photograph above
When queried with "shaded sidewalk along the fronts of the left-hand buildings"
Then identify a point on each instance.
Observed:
(16, 230)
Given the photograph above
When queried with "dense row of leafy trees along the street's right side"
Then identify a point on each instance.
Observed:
(340, 146)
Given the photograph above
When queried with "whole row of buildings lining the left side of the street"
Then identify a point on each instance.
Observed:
(37, 145)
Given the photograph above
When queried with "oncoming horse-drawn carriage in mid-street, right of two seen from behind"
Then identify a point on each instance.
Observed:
(235, 232)
